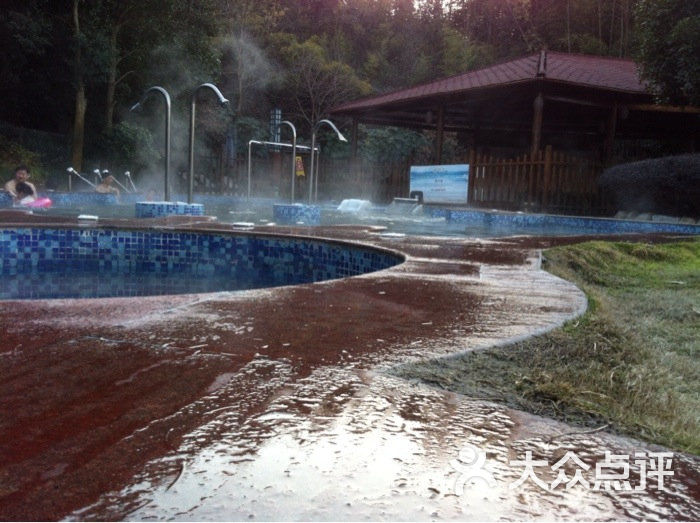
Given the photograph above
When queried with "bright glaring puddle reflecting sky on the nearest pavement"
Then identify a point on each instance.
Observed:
(352, 445)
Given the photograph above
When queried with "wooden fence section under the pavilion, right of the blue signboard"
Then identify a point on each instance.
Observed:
(547, 181)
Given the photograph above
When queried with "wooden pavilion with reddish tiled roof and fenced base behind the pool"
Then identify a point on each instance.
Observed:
(539, 129)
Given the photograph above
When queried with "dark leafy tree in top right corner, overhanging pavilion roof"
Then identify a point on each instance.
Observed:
(668, 35)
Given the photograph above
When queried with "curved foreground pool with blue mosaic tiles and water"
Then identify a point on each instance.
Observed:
(42, 263)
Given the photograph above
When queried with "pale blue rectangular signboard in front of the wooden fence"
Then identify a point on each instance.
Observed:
(441, 183)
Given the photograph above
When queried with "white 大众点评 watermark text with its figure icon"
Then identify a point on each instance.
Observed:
(612, 473)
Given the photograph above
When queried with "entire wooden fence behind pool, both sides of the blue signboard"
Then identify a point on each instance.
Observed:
(548, 181)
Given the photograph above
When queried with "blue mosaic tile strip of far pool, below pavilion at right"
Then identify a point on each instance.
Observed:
(551, 221)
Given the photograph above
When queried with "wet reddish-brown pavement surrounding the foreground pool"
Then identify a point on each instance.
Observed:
(275, 404)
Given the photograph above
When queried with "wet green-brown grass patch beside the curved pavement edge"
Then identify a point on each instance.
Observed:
(630, 362)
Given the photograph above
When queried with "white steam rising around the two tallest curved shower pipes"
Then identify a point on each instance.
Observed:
(246, 72)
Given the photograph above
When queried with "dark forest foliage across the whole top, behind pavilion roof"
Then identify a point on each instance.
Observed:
(304, 56)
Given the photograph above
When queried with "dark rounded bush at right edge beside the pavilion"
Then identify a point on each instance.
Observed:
(669, 186)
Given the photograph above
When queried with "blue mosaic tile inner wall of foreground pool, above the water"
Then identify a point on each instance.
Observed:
(269, 260)
